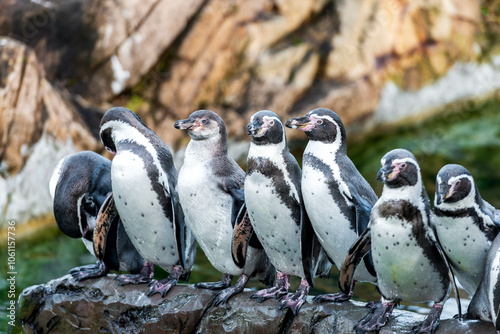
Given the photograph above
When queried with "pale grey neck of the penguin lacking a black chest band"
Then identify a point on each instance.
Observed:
(202, 151)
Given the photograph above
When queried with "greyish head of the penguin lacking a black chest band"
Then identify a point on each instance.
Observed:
(203, 124)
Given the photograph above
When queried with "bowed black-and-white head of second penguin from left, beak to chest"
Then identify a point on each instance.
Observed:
(117, 119)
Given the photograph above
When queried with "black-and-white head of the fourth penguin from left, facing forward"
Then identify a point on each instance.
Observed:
(266, 128)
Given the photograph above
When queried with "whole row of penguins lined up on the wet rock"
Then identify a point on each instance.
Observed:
(276, 220)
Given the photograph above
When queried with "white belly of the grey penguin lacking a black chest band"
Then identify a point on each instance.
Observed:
(208, 213)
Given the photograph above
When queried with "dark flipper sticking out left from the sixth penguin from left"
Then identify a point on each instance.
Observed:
(354, 256)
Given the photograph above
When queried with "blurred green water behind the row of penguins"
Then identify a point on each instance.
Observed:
(470, 137)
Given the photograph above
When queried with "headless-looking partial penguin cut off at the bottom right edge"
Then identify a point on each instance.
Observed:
(485, 305)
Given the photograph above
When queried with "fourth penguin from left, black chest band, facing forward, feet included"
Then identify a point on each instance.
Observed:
(276, 210)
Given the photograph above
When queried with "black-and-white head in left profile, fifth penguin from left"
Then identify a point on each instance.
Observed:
(320, 124)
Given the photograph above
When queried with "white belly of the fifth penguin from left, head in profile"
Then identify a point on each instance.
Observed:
(332, 227)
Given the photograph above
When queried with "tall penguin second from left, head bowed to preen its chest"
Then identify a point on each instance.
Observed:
(144, 181)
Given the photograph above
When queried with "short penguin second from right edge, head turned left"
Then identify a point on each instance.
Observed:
(465, 224)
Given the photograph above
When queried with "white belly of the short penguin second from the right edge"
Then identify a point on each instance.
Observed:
(466, 247)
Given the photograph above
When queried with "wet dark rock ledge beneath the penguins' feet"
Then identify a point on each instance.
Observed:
(100, 305)
